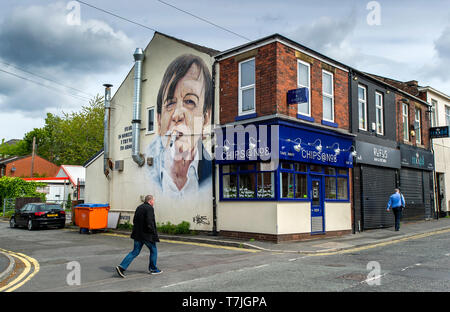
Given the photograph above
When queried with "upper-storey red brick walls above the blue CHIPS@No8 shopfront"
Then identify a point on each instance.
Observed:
(276, 74)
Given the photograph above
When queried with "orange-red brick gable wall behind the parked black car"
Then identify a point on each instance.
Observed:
(23, 167)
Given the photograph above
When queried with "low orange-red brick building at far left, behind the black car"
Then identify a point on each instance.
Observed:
(20, 166)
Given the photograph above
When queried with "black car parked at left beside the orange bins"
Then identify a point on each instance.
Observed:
(35, 215)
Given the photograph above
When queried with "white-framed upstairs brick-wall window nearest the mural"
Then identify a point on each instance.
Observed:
(247, 87)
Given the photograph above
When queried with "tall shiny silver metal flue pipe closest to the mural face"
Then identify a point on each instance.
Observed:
(136, 122)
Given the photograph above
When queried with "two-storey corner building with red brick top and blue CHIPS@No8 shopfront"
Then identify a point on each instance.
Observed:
(303, 187)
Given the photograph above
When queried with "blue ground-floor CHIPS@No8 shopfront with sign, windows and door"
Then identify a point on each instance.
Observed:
(287, 163)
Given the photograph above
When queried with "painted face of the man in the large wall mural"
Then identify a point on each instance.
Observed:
(184, 112)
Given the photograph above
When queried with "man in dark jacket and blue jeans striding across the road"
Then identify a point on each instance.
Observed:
(144, 233)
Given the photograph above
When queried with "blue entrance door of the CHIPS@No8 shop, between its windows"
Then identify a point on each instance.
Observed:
(317, 206)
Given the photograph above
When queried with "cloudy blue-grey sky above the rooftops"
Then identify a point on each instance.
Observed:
(78, 48)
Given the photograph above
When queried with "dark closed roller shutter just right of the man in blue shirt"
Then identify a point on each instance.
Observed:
(416, 198)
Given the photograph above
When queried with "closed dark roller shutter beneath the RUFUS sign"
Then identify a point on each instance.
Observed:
(377, 185)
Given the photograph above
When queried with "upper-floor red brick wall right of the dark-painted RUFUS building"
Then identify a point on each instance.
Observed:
(425, 123)
